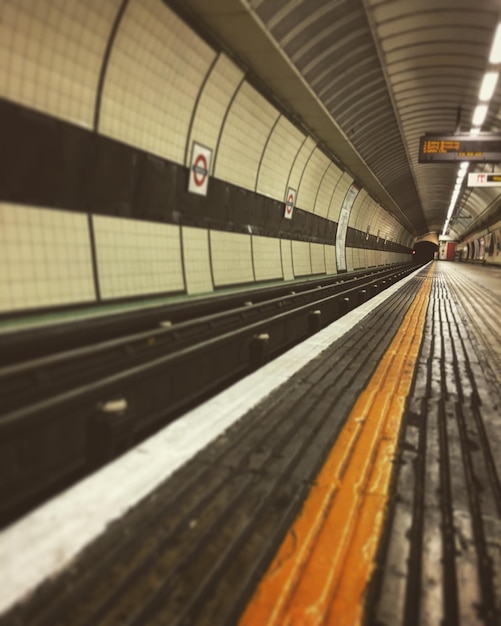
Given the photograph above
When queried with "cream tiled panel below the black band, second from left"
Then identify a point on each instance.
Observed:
(136, 258)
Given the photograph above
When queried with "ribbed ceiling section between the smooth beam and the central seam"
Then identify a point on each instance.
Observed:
(332, 46)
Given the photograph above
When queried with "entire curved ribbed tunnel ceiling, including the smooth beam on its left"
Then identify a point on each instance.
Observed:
(382, 73)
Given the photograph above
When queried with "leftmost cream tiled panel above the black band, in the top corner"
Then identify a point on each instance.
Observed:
(51, 54)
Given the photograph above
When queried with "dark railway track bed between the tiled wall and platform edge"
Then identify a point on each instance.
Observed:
(66, 412)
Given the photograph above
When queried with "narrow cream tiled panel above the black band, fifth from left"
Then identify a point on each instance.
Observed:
(280, 153)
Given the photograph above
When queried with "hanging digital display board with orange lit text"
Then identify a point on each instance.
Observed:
(461, 147)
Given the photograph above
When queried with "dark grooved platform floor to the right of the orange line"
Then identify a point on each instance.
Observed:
(441, 561)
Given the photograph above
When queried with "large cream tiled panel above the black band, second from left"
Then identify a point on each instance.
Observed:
(156, 69)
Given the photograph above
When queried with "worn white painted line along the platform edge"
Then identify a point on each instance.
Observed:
(43, 543)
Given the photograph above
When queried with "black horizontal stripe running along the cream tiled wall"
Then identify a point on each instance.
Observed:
(55, 164)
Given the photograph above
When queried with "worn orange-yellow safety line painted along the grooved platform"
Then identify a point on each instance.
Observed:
(322, 568)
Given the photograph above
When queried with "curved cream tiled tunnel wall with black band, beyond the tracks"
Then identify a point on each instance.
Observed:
(132, 81)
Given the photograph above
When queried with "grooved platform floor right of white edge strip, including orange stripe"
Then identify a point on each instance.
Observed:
(200, 549)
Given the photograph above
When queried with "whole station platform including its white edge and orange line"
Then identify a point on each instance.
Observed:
(354, 480)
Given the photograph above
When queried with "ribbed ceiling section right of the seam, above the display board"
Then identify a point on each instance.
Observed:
(435, 55)
